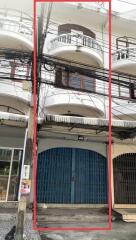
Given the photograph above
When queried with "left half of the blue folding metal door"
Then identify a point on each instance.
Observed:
(54, 176)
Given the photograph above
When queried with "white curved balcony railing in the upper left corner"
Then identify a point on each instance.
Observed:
(16, 22)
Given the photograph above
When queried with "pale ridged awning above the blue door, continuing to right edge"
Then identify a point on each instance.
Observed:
(120, 128)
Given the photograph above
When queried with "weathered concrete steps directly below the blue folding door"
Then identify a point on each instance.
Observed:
(72, 217)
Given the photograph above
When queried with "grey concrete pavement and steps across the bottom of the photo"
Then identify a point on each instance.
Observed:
(87, 217)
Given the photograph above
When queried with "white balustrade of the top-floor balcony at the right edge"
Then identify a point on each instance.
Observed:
(124, 54)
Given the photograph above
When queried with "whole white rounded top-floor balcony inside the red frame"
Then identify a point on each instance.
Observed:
(77, 47)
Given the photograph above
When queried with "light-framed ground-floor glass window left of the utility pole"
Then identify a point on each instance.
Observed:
(10, 169)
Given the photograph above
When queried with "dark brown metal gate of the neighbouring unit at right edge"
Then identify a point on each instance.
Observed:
(125, 179)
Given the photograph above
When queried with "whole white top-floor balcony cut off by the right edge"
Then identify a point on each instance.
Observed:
(124, 60)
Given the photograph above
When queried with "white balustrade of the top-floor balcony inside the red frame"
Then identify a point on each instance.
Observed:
(78, 40)
